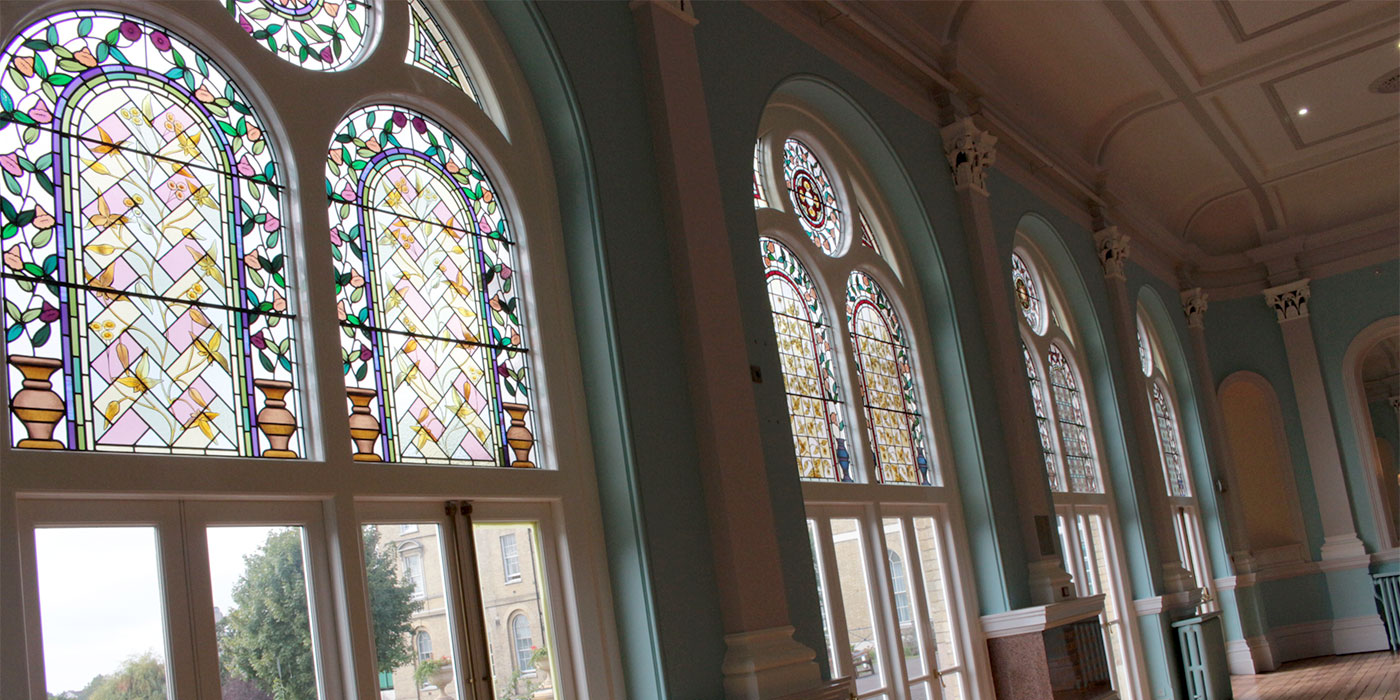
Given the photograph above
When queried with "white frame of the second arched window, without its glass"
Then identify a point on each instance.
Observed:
(867, 499)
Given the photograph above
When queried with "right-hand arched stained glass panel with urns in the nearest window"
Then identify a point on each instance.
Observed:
(426, 281)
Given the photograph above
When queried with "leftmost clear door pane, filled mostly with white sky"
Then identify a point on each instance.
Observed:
(101, 611)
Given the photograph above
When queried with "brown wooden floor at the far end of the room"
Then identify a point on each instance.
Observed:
(1356, 677)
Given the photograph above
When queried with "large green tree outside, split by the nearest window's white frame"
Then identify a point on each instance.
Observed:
(267, 639)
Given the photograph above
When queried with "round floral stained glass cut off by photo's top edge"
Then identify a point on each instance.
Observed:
(313, 34)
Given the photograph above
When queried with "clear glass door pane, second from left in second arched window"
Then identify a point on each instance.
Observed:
(860, 622)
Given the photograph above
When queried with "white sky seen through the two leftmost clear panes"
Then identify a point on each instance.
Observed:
(100, 596)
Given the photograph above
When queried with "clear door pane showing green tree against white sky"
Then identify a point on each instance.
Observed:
(261, 612)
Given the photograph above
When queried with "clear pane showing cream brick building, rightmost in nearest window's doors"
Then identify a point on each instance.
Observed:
(516, 612)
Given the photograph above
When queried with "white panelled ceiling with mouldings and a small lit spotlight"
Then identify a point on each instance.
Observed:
(1179, 115)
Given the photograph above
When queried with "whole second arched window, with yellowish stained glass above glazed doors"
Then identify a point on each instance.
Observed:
(891, 608)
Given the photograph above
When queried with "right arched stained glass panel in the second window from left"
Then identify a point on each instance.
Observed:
(888, 388)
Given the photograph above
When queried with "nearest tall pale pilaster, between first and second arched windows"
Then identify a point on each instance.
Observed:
(762, 659)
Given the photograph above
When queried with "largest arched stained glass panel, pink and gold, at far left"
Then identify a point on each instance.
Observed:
(145, 264)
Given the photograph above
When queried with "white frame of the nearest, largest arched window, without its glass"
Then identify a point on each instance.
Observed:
(507, 138)
